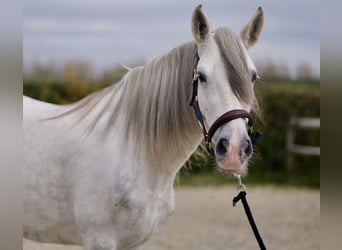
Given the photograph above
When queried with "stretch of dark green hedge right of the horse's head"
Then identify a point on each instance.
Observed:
(280, 102)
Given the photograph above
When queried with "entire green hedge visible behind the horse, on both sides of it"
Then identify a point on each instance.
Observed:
(278, 102)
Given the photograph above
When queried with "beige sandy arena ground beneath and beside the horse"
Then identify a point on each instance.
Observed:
(288, 219)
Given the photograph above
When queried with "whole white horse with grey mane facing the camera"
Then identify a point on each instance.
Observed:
(100, 172)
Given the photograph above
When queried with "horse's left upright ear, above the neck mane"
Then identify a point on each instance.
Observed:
(200, 25)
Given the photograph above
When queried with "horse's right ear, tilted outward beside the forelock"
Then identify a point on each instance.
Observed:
(251, 32)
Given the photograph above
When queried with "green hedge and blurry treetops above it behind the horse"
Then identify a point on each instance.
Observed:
(280, 97)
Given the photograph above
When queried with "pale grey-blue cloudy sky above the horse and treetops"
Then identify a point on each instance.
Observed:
(107, 32)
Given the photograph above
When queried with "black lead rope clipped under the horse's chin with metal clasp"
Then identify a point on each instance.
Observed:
(242, 196)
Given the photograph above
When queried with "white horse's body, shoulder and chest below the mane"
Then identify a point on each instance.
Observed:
(88, 187)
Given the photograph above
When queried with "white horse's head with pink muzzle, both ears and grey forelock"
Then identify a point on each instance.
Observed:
(226, 75)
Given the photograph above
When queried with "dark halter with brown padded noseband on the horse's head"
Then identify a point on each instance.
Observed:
(223, 119)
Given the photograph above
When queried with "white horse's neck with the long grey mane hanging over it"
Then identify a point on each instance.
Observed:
(149, 109)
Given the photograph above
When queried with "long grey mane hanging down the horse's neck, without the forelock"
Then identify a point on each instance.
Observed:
(156, 101)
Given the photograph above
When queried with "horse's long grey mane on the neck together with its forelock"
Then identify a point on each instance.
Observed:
(153, 100)
